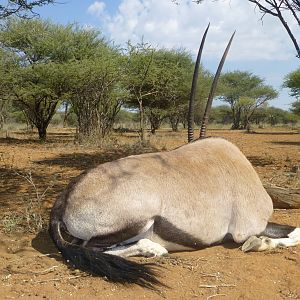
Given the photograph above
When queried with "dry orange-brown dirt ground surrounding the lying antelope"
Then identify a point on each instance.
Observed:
(31, 267)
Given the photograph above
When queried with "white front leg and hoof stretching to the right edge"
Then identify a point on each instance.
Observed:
(264, 243)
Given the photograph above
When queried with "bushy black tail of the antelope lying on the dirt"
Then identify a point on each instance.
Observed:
(114, 268)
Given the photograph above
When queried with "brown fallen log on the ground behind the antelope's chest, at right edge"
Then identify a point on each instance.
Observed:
(283, 197)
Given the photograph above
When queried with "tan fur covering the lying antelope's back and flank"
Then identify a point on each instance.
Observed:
(207, 189)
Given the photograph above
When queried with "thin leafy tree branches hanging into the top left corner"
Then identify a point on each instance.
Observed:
(21, 8)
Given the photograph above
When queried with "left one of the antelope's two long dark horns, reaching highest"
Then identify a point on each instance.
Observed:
(193, 90)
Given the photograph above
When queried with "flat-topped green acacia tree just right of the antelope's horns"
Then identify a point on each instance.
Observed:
(244, 92)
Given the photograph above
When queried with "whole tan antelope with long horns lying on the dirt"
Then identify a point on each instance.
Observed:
(195, 196)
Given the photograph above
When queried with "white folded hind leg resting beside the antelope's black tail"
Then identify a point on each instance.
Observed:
(143, 247)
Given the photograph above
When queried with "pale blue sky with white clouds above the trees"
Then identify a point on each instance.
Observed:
(261, 47)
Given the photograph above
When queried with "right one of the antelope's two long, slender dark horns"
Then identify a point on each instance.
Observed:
(212, 90)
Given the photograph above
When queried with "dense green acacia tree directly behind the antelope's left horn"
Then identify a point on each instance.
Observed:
(167, 86)
